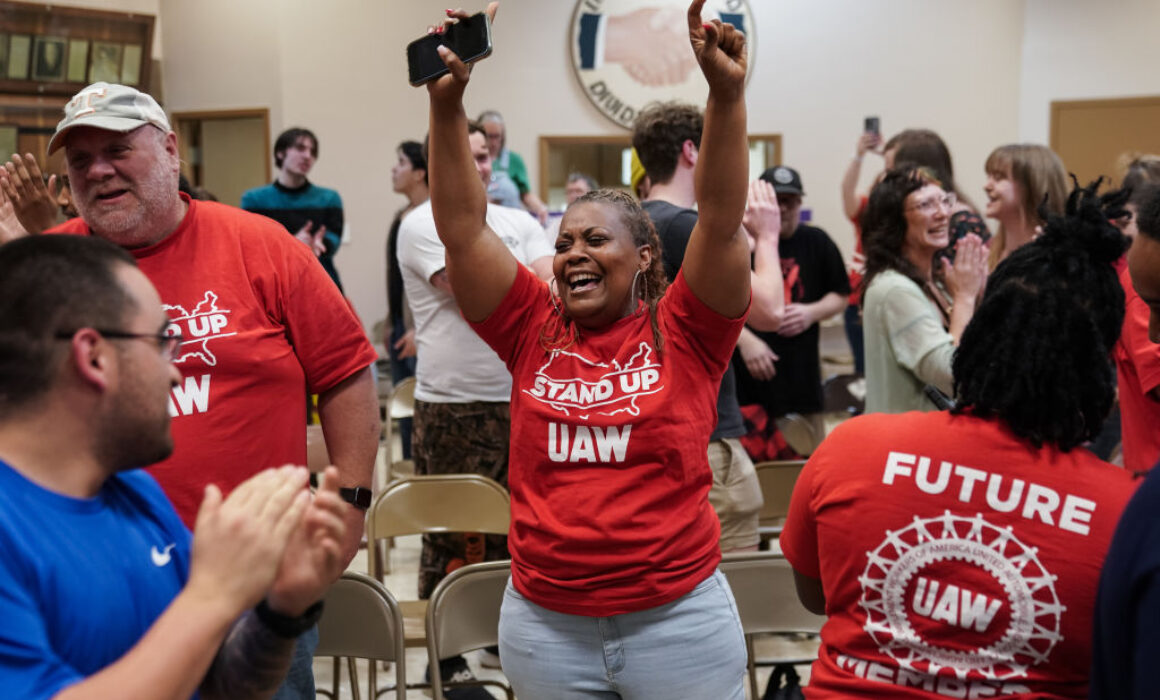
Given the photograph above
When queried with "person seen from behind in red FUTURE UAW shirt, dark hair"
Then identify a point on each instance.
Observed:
(958, 553)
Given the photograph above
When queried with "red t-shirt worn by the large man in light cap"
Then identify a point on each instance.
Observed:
(262, 322)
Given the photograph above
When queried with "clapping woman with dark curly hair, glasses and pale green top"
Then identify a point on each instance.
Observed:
(911, 322)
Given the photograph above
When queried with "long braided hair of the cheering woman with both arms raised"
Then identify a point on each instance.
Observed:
(561, 331)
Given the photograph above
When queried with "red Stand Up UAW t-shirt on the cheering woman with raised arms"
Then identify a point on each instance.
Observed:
(608, 467)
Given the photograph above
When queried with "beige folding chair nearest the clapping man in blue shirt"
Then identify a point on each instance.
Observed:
(361, 620)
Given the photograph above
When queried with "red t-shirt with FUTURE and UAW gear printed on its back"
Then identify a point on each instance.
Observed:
(958, 560)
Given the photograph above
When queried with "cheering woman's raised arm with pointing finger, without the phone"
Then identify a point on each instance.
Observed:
(717, 259)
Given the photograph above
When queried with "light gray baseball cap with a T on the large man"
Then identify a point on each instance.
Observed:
(110, 107)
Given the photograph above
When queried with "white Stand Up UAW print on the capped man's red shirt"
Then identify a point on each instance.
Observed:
(201, 328)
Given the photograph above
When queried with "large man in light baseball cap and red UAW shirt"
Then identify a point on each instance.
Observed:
(259, 314)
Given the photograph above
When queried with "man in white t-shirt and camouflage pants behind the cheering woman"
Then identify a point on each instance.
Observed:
(462, 423)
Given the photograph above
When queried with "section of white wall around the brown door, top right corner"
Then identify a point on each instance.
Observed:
(1078, 50)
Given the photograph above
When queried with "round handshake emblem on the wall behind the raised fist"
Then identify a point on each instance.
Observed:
(628, 54)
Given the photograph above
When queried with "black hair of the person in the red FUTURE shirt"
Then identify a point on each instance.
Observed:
(1036, 352)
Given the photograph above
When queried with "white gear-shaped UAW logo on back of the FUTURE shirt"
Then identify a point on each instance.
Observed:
(962, 597)
